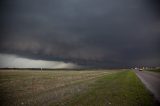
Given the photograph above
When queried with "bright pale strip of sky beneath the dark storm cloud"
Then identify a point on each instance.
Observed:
(13, 61)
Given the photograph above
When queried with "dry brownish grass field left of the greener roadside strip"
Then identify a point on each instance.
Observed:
(30, 88)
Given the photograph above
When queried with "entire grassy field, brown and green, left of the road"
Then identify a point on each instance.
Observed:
(72, 88)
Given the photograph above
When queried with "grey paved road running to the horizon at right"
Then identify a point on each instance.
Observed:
(151, 80)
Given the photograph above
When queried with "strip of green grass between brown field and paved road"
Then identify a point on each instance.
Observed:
(119, 89)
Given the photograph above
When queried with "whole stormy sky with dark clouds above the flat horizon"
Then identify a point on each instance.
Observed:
(88, 33)
